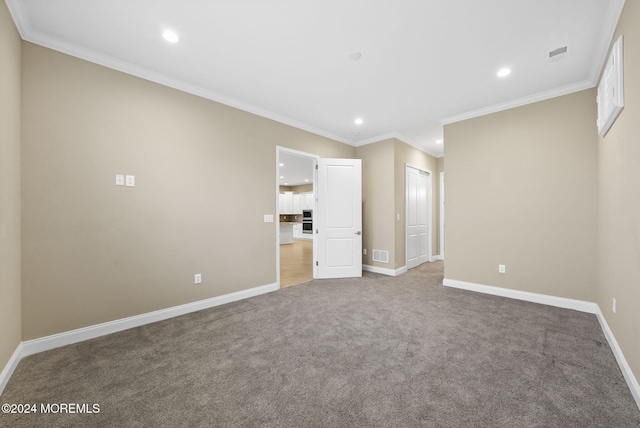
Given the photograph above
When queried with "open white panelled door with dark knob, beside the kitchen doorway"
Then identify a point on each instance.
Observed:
(338, 218)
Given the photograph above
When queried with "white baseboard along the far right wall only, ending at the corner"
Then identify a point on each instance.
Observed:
(560, 302)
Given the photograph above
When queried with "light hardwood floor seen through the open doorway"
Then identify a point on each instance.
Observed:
(296, 263)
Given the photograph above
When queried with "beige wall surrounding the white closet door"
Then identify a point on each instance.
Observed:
(406, 154)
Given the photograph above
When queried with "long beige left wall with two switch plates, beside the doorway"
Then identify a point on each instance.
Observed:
(94, 252)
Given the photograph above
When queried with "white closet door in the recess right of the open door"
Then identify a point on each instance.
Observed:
(418, 219)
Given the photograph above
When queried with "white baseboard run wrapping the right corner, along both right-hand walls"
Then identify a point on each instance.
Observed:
(561, 302)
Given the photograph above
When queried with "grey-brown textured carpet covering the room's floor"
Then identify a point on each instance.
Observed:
(368, 352)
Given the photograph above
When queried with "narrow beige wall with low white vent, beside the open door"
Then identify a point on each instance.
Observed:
(377, 201)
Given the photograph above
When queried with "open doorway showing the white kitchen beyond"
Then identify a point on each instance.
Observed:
(295, 190)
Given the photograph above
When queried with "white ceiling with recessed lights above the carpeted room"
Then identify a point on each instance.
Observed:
(424, 62)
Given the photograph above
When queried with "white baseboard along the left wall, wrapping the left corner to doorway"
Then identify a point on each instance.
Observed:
(34, 346)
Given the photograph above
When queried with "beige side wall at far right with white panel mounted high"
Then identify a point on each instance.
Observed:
(619, 204)
